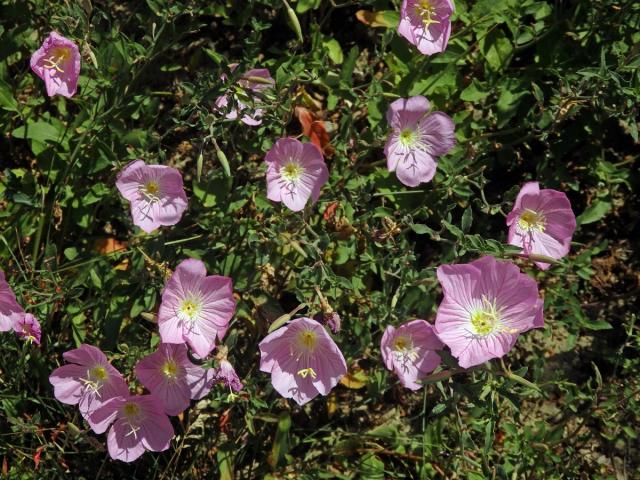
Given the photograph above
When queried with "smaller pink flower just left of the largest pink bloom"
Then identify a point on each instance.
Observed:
(409, 351)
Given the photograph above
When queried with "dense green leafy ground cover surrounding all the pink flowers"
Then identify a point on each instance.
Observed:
(538, 90)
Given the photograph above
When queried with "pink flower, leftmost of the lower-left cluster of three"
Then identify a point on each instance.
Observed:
(89, 380)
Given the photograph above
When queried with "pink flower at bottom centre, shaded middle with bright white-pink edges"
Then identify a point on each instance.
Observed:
(302, 359)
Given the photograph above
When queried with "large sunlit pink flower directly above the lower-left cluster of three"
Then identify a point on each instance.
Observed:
(195, 308)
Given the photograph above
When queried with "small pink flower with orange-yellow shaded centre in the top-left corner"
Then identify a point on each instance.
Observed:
(57, 62)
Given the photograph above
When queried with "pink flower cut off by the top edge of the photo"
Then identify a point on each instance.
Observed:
(426, 24)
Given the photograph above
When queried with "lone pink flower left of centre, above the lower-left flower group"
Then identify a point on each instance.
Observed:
(155, 192)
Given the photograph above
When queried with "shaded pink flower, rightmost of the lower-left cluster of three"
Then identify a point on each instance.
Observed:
(169, 375)
